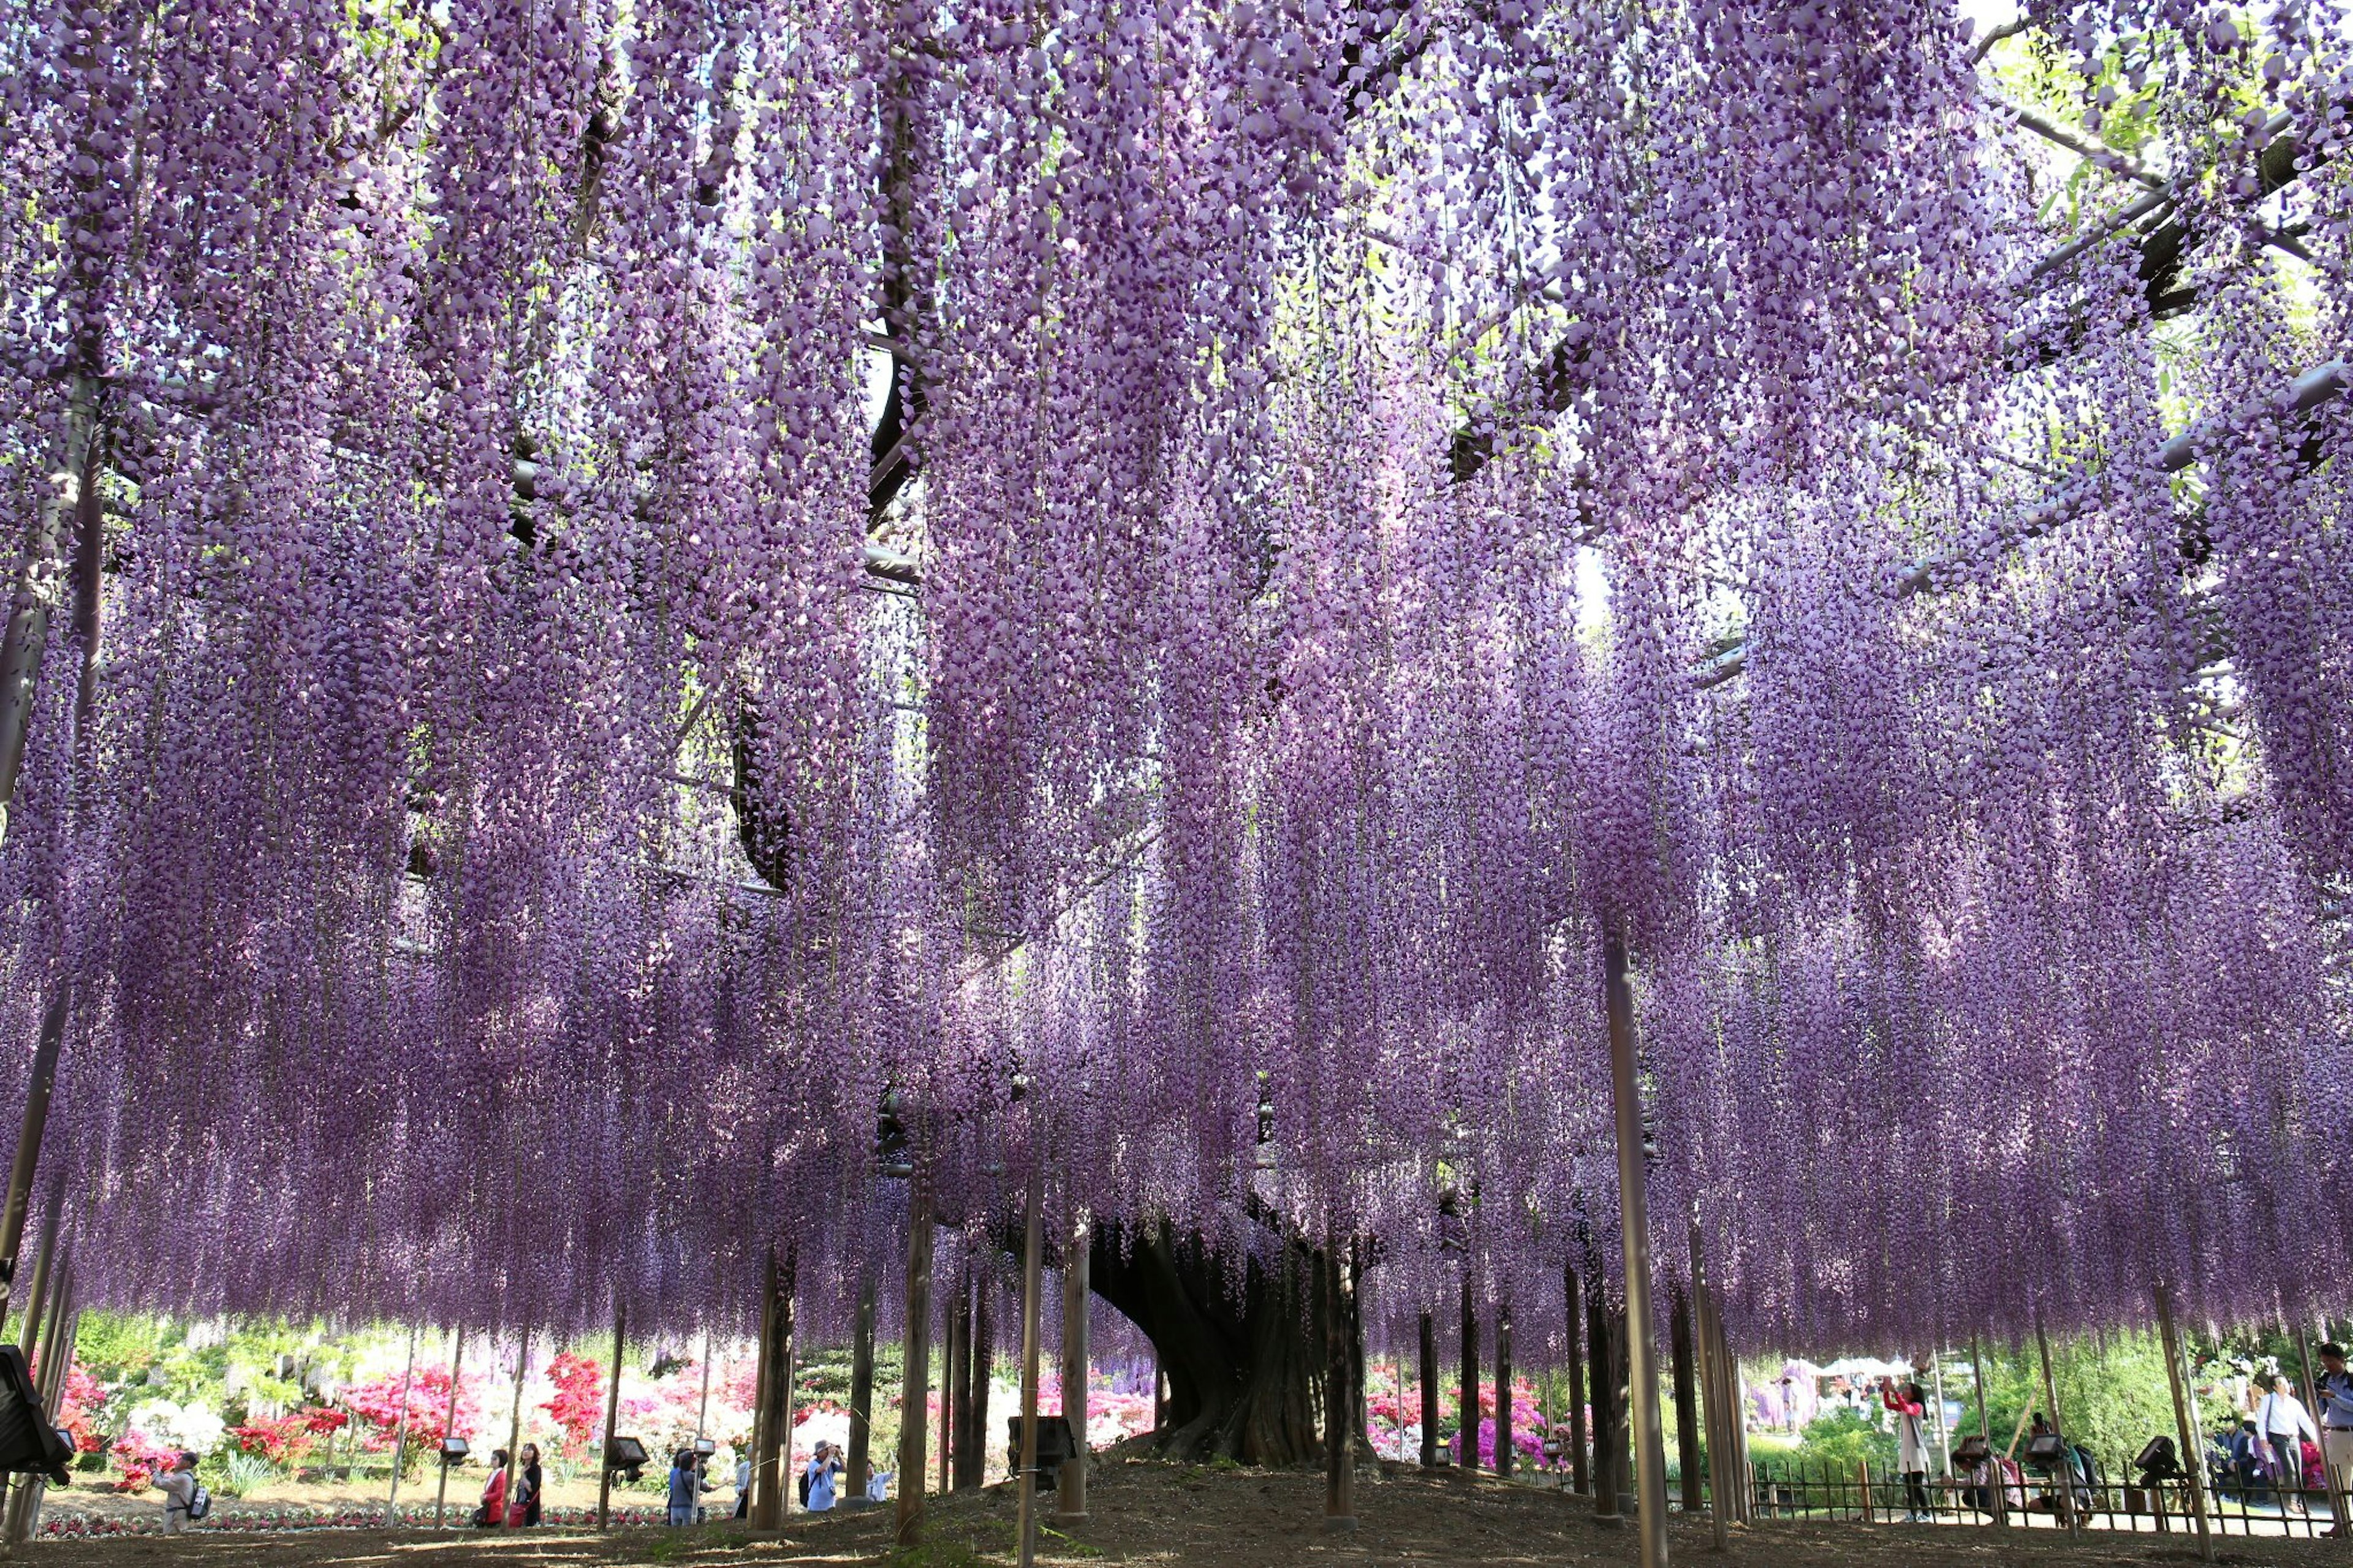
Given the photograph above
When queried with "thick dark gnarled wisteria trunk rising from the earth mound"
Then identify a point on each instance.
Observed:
(1244, 1369)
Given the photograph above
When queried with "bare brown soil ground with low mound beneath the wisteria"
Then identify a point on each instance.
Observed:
(1199, 1517)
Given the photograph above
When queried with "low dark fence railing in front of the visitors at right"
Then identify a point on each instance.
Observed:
(2102, 1501)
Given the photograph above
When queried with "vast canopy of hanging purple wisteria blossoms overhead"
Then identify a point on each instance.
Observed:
(646, 623)
